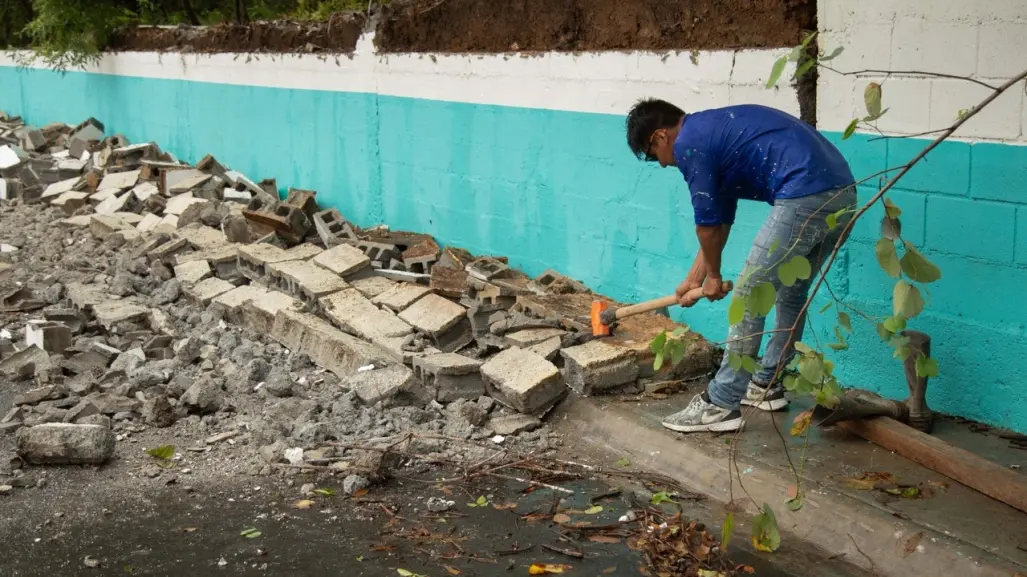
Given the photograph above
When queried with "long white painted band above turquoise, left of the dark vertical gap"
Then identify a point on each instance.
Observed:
(600, 83)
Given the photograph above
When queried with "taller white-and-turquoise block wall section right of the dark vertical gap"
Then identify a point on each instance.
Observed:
(966, 206)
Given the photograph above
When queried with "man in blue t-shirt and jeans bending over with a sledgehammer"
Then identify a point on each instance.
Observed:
(748, 152)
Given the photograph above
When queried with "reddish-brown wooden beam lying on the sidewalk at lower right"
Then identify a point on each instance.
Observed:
(981, 475)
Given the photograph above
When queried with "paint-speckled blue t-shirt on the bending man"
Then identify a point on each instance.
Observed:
(753, 152)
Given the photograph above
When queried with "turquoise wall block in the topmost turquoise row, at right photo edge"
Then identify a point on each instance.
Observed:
(998, 173)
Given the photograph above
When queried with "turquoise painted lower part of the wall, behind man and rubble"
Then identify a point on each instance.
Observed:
(560, 190)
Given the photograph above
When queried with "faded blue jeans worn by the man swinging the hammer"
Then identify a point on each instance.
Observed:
(796, 226)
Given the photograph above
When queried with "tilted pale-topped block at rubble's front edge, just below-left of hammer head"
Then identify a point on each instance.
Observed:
(523, 381)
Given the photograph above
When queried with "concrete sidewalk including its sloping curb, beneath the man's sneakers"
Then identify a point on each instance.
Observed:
(965, 533)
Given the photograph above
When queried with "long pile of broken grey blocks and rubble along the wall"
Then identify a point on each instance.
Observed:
(170, 293)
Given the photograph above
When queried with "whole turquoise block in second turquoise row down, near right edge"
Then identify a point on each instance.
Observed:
(957, 225)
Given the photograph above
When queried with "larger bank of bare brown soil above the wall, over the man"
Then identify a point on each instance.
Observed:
(490, 26)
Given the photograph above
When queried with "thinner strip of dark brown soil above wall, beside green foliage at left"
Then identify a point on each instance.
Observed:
(337, 35)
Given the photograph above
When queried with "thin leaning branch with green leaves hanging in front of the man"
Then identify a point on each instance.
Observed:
(811, 371)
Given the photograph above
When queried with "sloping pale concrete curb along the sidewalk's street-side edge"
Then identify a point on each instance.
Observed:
(830, 521)
